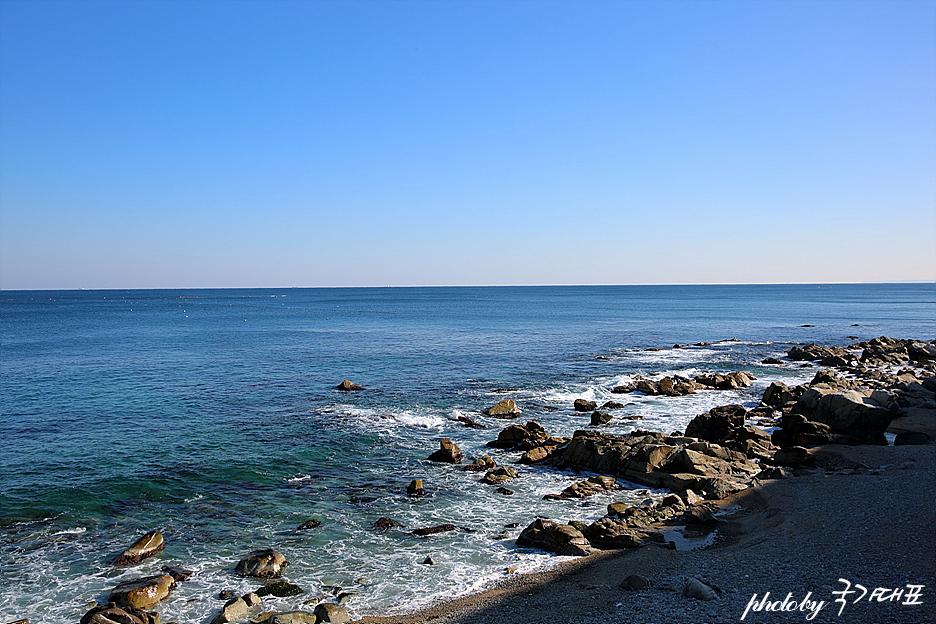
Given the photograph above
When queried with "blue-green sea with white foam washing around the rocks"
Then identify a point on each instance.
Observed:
(211, 415)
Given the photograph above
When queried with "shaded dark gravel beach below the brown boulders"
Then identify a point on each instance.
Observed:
(871, 525)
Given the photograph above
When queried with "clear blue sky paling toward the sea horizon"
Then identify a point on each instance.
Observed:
(325, 143)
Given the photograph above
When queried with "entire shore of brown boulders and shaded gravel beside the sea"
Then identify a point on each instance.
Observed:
(819, 504)
